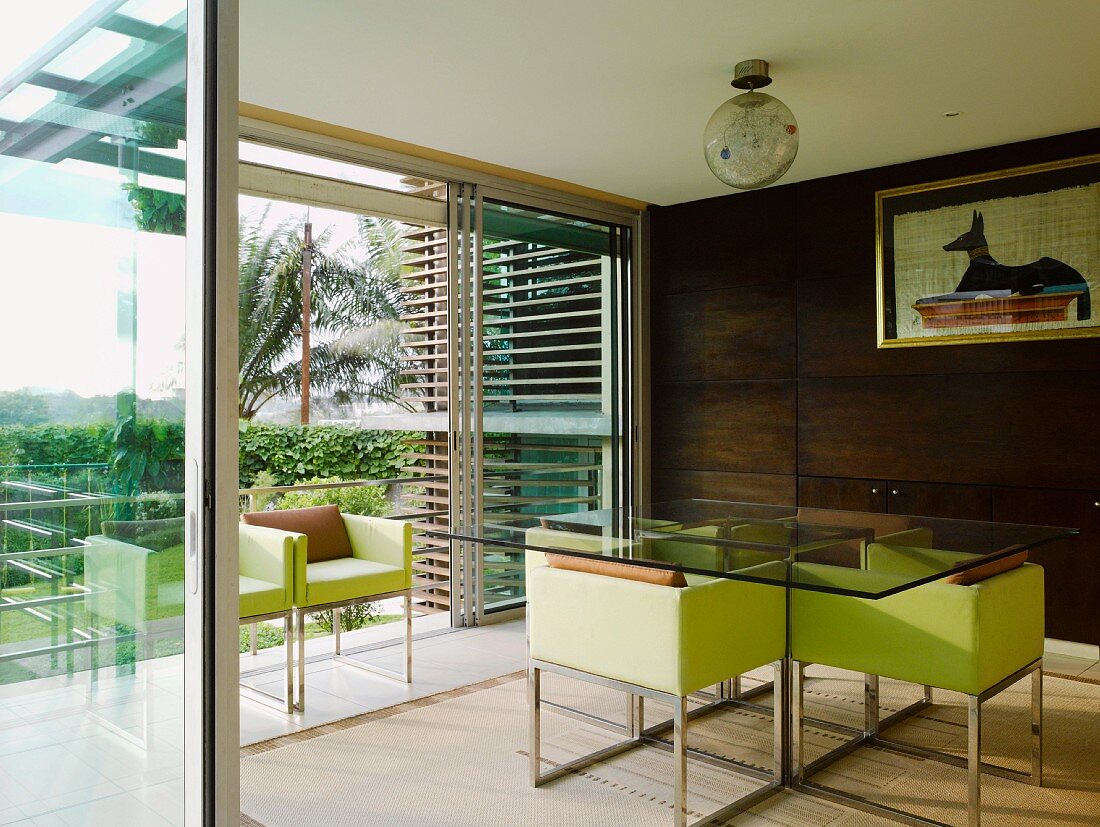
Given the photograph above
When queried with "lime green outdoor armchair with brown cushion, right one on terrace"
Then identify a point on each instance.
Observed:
(339, 561)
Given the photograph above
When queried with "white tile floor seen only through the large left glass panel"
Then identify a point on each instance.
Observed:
(73, 757)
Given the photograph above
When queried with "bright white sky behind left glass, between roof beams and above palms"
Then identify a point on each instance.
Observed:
(73, 263)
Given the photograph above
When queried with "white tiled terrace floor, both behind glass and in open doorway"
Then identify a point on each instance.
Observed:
(69, 758)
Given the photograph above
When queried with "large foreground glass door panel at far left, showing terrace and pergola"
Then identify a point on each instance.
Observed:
(104, 585)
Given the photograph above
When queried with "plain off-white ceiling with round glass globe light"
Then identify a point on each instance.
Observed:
(614, 94)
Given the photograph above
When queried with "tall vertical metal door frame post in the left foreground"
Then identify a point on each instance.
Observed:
(212, 719)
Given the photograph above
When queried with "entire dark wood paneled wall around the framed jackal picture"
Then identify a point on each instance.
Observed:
(768, 385)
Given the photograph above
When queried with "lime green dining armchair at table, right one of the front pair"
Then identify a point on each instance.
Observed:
(975, 639)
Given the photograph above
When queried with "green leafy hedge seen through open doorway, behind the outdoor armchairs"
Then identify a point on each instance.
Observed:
(293, 454)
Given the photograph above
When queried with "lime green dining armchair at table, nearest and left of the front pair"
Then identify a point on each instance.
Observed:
(650, 642)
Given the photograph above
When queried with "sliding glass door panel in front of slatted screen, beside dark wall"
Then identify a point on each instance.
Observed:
(543, 378)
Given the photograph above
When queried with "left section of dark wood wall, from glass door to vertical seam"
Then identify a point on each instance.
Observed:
(724, 333)
